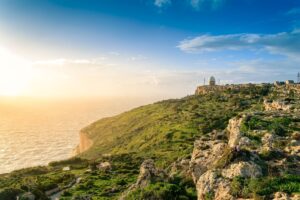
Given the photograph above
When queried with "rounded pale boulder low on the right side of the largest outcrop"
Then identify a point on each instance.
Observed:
(243, 169)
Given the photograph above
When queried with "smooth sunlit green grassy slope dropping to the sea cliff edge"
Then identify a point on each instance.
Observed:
(167, 130)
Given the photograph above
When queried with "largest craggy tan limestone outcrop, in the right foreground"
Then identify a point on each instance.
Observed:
(213, 164)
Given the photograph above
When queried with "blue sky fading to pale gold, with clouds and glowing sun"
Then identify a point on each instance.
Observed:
(162, 48)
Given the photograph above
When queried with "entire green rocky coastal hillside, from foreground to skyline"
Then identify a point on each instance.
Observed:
(233, 142)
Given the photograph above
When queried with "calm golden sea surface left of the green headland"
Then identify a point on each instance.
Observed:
(36, 132)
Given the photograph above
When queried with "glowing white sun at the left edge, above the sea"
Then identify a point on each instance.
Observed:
(15, 74)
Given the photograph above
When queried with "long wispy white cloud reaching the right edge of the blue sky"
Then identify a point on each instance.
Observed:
(281, 43)
